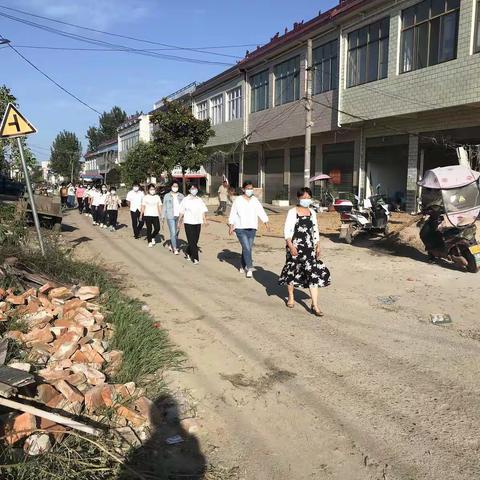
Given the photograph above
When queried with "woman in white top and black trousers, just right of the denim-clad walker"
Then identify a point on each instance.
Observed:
(192, 215)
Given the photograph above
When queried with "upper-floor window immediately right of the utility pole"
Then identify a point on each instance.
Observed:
(325, 64)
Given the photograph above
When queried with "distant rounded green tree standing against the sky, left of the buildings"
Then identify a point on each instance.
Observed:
(65, 155)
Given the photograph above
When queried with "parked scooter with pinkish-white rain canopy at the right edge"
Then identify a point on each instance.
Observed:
(450, 200)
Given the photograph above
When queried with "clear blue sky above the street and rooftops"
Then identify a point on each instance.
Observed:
(134, 82)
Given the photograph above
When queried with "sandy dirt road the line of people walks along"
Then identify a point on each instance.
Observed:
(371, 391)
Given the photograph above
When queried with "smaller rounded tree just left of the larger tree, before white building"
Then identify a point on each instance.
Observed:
(143, 160)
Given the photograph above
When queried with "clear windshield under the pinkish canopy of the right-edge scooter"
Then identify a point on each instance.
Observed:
(462, 204)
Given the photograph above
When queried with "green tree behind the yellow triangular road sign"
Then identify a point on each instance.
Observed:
(9, 153)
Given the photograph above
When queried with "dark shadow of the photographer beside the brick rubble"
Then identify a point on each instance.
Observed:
(156, 458)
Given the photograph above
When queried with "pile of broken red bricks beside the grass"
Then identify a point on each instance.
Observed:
(66, 347)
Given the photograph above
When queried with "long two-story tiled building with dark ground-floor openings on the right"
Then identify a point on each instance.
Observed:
(394, 86)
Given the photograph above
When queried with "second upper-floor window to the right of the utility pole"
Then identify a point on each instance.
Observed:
(368, 53)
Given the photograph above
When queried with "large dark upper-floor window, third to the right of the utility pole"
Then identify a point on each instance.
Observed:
(429, 34)
